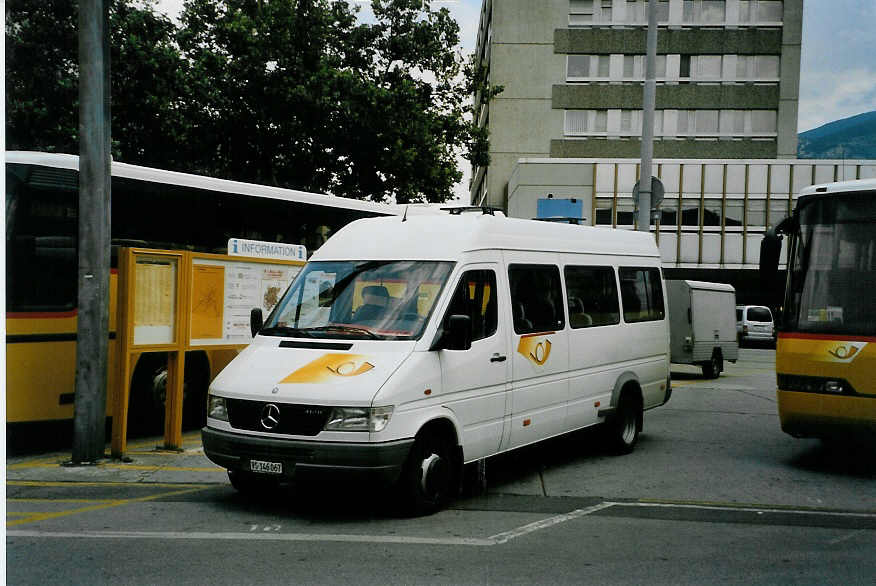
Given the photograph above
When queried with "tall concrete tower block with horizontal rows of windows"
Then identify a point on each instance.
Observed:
(573, 71)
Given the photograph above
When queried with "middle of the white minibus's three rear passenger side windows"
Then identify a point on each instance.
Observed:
(592, 296)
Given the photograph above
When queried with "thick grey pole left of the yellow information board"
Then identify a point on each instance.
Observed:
(89, 410)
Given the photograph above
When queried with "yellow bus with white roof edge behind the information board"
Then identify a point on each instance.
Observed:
(151, 208)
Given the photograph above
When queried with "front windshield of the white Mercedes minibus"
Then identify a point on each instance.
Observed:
(386, 300)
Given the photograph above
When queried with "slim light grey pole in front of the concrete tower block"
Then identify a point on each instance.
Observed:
(644, 211)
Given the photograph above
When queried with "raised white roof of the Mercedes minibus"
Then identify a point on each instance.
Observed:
(444, 236)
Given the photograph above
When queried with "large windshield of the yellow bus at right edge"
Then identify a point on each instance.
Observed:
(832, 275)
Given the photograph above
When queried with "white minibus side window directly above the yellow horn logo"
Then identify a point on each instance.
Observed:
(536, 298)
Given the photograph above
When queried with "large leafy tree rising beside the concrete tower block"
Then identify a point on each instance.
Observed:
(299, 93)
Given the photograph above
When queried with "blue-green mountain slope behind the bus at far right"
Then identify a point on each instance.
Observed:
(849, 138)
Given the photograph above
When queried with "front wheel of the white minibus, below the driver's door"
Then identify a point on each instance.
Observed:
(427, 478)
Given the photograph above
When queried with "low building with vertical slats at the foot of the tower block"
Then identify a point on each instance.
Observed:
(714, 213)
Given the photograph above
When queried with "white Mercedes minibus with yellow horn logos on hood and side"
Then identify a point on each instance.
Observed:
(407, 347)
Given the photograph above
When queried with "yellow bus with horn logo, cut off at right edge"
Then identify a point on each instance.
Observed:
(826, 351)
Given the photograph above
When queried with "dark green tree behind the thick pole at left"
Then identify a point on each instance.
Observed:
(42, 69)
